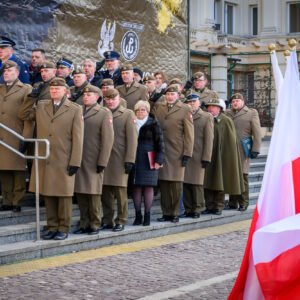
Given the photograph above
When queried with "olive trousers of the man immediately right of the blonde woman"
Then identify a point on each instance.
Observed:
(170, 192)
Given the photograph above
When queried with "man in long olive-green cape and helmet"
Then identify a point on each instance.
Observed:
(224, 173)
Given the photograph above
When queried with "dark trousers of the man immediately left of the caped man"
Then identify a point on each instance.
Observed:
(193, 198)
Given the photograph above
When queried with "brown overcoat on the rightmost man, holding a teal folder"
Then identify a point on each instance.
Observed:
(246, 122)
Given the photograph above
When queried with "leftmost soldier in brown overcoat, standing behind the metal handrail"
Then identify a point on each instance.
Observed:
(12, 167)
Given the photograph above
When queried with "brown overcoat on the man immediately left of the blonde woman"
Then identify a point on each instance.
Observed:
(124, 147)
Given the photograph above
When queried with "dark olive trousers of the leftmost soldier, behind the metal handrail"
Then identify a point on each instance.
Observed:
(13, 186)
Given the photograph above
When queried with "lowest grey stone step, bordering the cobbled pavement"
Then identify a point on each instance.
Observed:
(13, 252)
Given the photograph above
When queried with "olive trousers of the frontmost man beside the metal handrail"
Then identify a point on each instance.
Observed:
(59, 213)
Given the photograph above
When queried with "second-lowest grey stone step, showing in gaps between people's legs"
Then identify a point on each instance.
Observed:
(27, 231)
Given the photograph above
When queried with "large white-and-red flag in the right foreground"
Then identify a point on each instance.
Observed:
(271, 265)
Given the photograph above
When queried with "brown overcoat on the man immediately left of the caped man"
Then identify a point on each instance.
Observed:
(203, 143)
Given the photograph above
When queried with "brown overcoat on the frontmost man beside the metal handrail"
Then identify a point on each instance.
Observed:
(64, 130)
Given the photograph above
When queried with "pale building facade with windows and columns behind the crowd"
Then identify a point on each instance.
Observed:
(229, 41)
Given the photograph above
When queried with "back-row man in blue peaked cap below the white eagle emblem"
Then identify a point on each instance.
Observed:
(112, 63)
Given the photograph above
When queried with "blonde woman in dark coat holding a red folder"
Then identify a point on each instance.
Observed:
(149, 159)
